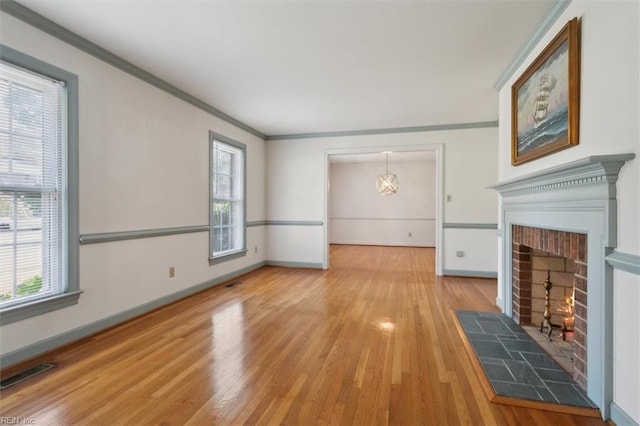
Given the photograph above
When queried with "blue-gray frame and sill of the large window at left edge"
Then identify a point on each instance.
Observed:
(71, 292)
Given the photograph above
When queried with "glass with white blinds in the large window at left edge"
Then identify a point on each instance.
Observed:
(32, 192)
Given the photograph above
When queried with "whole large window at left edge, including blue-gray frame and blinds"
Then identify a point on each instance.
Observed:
(38, 231)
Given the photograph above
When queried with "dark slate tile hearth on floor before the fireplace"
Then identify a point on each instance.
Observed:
(515, 364)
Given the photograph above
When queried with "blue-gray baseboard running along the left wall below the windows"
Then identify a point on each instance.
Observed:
(54, 342)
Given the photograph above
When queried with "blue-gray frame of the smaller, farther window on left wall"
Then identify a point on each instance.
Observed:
(242, 251)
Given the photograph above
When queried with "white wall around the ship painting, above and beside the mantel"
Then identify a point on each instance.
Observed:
(609, 124)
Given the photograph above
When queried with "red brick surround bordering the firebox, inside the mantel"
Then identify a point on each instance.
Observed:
(564, 245)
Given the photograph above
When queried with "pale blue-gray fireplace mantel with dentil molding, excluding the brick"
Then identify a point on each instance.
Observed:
(578, 197)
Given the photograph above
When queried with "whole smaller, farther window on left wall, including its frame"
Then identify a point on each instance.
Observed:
(227, 219)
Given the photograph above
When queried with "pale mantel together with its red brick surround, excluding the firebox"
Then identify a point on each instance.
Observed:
(568, 210)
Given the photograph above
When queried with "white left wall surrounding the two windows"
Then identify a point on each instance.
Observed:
(143, 164)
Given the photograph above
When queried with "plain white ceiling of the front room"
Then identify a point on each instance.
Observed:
(293, 67)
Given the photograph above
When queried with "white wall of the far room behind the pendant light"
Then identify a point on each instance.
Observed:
(359, 215)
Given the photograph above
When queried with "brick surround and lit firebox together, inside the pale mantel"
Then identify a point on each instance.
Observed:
(544, 255)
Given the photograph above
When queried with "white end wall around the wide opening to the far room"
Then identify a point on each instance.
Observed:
(298, 183)
